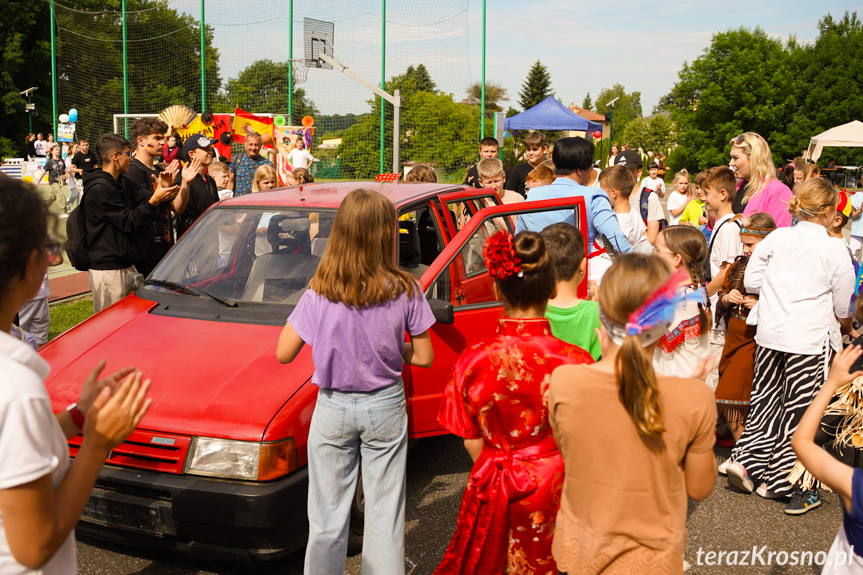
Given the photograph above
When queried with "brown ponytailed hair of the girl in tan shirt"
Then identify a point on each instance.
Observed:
(625, 287)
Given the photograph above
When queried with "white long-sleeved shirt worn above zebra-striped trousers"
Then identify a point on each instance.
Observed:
(805, 280)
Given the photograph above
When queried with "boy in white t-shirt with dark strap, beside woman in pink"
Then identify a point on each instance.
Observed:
(720, 188)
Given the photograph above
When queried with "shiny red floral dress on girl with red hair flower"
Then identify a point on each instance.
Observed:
(507, 514)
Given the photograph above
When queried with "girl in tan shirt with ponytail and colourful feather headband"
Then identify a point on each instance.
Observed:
(634, 444)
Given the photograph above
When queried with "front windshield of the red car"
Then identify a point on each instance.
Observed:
(246, 255)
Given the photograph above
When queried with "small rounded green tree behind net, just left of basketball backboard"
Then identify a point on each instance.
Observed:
(261, 86)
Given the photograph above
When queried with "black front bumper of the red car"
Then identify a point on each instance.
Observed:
(215, 519)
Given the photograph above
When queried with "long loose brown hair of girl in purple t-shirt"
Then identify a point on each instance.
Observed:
(358, 267)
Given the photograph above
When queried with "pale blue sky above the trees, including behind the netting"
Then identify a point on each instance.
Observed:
(586, 46)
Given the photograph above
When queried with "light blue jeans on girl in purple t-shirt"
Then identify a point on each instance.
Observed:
(346, 427)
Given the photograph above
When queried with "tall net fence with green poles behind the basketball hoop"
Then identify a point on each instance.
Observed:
(422, 48)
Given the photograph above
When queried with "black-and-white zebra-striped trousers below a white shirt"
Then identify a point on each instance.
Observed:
(784, 386)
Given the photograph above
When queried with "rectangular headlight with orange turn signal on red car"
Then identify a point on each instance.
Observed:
(246, 460)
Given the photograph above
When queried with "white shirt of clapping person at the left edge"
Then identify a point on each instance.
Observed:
(32, 445)
